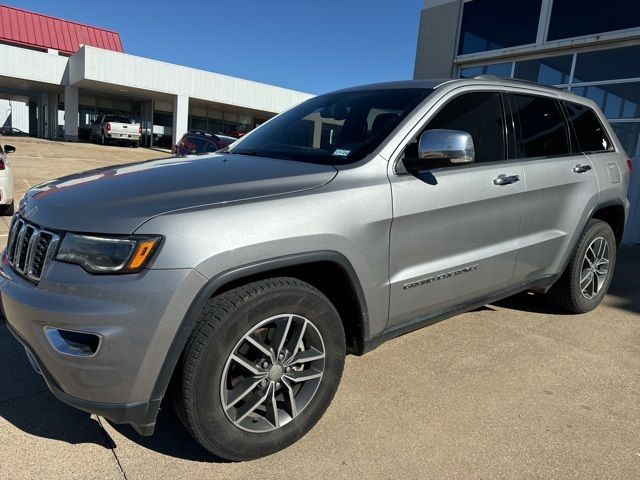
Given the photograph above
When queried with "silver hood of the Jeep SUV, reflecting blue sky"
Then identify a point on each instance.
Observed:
(119, 199)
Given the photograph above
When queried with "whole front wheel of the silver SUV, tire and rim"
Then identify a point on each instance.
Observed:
(260, 368)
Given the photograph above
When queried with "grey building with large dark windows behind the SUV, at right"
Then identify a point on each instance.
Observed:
(589, 47)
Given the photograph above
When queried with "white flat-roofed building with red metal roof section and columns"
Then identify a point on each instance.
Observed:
(56, 76)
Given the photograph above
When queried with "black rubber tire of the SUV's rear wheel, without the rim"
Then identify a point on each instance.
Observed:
(567, 291)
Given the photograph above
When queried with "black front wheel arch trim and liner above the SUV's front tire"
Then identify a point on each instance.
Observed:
(305, 266)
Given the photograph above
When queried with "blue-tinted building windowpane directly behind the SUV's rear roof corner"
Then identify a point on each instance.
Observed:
(619, 100)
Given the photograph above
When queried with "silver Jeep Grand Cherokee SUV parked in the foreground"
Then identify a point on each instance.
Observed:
(237, 282)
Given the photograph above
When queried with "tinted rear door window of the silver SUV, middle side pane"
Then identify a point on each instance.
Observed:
(540, 127)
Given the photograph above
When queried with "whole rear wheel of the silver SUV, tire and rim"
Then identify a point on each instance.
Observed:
(586, 279)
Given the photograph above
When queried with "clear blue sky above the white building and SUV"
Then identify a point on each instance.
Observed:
(309, 45)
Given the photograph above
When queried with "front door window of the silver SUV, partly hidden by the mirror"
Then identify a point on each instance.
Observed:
(480, 115)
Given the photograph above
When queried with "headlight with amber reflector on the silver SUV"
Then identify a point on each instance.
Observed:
(107, 254)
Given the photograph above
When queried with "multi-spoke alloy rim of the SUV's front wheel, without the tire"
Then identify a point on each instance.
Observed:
(272, 373)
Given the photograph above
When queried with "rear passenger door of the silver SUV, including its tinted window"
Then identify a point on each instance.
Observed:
(560, 184)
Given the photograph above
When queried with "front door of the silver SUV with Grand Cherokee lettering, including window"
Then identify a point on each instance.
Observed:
(454, 236)
